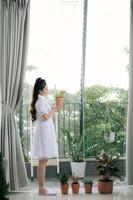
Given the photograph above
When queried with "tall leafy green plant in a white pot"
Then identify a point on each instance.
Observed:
(75, 143)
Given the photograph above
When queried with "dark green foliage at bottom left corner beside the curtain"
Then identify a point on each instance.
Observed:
(4, 187)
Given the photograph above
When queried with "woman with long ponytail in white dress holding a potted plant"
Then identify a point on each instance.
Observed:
(44, 142)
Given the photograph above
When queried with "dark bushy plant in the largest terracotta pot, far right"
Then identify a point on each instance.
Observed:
(107, 168)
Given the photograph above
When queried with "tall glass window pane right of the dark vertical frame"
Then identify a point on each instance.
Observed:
(106, 77)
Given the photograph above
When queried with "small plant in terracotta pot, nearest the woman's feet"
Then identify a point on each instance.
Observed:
(63, 178)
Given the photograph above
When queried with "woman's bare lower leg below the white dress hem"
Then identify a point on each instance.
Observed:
(41, 174)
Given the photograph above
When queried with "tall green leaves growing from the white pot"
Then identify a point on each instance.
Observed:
(75, 142)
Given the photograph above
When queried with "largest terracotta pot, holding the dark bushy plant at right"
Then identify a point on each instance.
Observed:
(105, 187)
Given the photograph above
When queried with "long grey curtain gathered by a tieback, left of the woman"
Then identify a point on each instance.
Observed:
(14, 28)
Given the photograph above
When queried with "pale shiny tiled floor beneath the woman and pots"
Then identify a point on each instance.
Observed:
(30, 193)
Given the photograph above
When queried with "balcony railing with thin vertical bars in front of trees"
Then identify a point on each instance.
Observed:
(104, 128)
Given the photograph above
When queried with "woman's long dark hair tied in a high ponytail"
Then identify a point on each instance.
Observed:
(39, 85)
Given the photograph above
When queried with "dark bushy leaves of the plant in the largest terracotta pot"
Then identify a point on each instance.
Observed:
(107, 166)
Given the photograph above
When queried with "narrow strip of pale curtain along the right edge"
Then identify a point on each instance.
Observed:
(129, 149)
